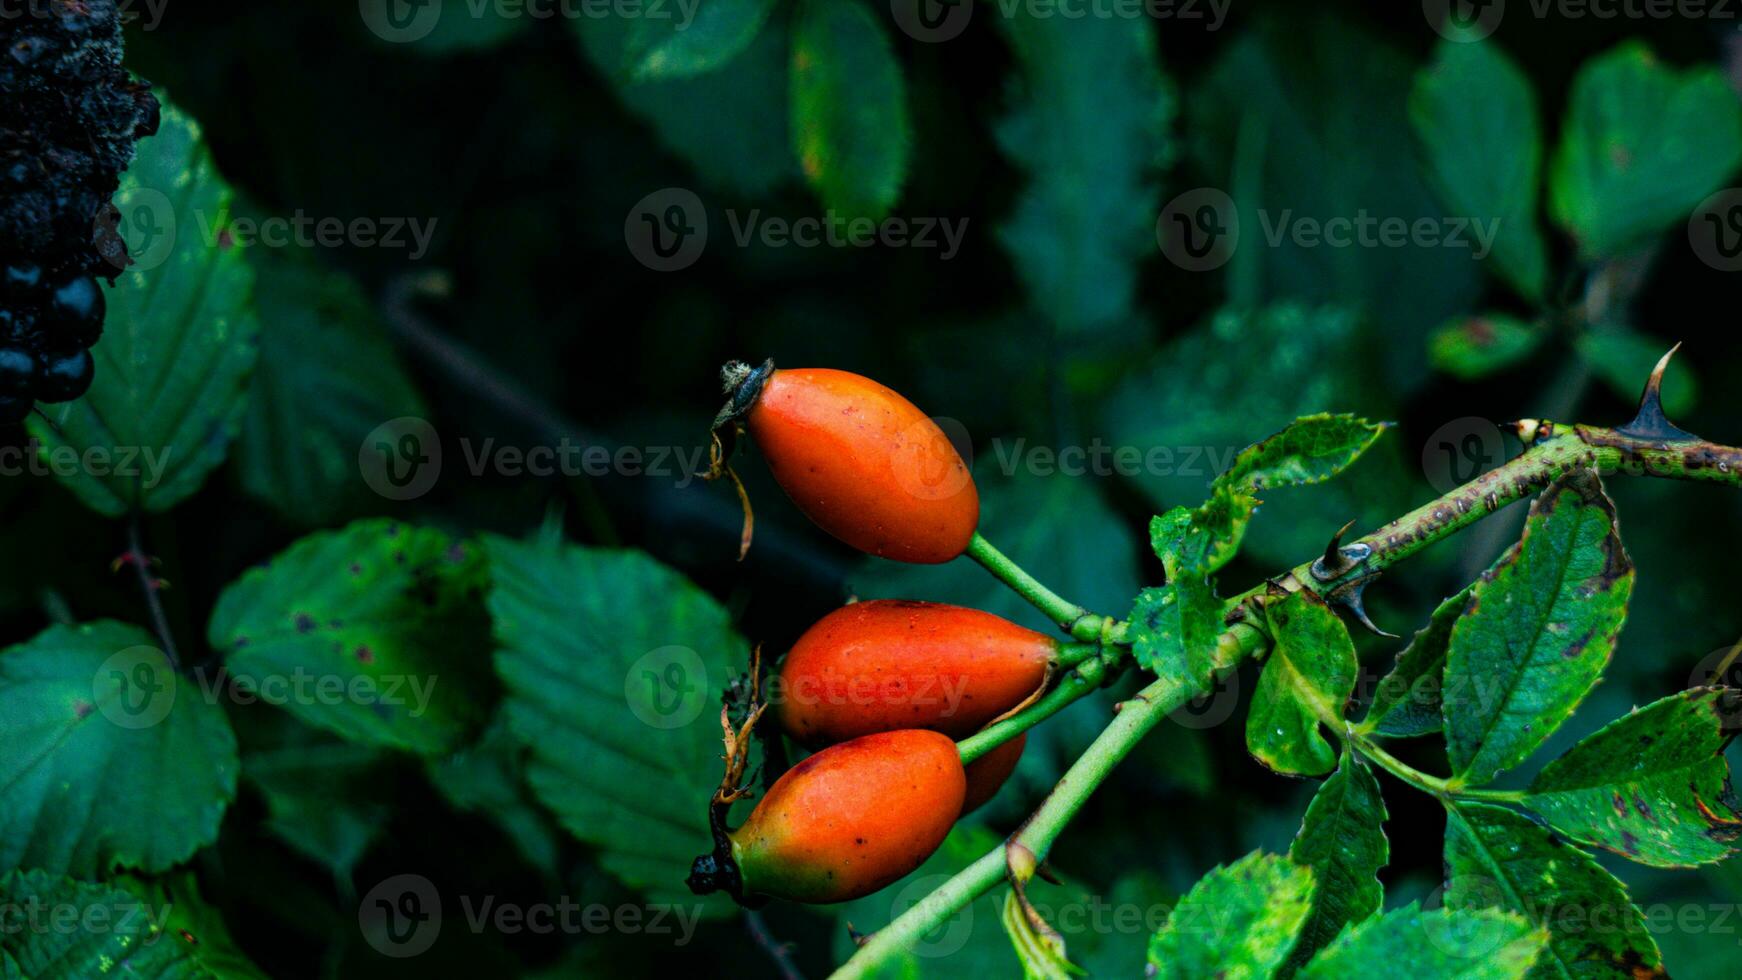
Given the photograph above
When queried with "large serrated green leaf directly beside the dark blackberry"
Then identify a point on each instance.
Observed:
(179, 342)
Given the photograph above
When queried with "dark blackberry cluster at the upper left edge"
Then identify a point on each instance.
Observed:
(69, 121)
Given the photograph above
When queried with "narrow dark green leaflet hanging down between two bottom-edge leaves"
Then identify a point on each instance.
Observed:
(1344, 843)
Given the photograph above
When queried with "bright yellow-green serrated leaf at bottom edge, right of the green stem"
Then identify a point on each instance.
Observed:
(1238, 923)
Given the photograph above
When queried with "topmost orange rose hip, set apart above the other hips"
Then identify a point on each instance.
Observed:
(865, 464)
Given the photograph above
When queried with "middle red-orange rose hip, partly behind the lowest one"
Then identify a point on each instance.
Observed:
(898, 664)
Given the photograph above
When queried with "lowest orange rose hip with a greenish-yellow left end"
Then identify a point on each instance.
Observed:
(853, 819)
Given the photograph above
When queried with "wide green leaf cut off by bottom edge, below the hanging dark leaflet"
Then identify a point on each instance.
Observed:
(1433, 946)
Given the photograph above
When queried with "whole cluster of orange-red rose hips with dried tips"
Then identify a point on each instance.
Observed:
(881, 690)
